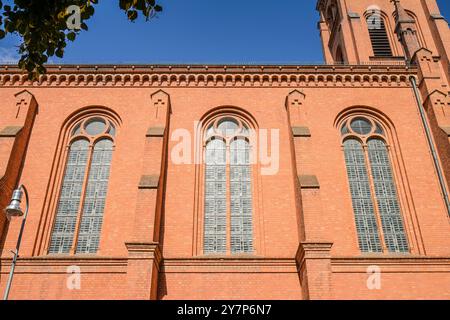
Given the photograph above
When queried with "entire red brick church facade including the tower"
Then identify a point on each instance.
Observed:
(141, 184)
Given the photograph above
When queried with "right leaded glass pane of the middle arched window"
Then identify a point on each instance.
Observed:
(241, 197)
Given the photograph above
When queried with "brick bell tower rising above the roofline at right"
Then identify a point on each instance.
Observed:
(381, 31)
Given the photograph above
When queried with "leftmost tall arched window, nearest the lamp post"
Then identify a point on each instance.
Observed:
(81, 203)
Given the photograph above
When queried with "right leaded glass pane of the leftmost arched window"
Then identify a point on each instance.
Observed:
(94, 202)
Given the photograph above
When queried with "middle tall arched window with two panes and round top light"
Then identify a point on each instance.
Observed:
(228, 217)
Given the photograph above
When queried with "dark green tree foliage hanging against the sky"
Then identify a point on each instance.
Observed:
(42, 26)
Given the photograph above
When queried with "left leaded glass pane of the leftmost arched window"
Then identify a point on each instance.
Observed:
(69, 200)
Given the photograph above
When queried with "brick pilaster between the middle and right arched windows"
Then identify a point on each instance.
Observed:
(313, 256)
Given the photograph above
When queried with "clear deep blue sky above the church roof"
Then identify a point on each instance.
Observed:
(201, 31)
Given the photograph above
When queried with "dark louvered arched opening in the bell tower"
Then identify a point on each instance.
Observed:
(379, 37)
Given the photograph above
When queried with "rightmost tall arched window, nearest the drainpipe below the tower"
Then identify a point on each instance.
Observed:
(374, 194)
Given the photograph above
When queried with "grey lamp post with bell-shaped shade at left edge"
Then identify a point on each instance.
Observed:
(14, 210)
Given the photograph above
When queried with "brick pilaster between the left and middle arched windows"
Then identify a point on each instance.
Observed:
(144, 250)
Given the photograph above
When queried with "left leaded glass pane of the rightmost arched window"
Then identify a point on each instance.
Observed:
(366, 224)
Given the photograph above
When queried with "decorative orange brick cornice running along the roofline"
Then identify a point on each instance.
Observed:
(373, 75)
